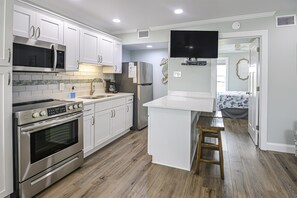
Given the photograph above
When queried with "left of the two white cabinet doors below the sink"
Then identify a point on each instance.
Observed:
(102, 126)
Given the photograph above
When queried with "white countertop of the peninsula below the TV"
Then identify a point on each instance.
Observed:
(183, 103)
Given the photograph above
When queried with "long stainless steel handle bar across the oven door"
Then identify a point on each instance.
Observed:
(48, 124)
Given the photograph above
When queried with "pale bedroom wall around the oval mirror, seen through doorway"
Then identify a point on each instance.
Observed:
(234, 83)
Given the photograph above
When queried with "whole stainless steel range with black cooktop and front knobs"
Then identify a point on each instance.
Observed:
(48, 140)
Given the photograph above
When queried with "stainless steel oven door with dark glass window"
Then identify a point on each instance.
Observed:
(46, 143)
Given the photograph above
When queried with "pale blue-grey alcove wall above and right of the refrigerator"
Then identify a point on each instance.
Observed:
(153, 56)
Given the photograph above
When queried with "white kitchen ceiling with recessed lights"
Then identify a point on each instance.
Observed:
(140, 14)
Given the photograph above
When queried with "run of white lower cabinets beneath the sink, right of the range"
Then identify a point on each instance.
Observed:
(104, 122)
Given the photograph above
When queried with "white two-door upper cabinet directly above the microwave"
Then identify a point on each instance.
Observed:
(30, 24)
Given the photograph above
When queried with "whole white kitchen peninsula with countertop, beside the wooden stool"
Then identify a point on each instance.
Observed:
(172, 133)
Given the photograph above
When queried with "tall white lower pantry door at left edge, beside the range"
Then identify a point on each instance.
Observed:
(6, 176)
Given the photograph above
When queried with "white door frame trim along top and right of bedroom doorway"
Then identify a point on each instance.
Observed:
(263, 95)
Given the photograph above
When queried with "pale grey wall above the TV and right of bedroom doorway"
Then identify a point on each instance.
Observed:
(282, 70)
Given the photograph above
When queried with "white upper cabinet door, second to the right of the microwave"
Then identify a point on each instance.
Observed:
(89, 51)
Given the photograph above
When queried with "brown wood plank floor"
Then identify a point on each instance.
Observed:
(124, 169)
